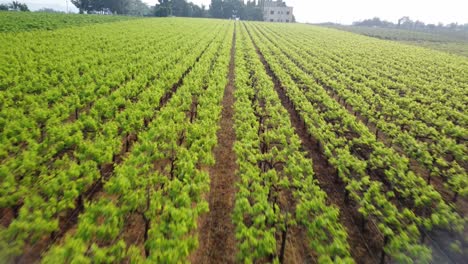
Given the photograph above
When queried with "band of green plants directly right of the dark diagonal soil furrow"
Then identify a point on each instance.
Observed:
(362, 163)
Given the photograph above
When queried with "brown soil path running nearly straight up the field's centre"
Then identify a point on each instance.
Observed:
(216, 231)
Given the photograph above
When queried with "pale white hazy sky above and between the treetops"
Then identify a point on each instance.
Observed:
(342, 11)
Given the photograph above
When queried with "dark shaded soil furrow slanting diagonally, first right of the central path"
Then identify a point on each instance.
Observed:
(364, 246)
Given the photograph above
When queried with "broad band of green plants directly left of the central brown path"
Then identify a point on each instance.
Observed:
(162, 180)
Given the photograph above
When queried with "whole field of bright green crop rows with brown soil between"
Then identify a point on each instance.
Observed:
(212, 141)
